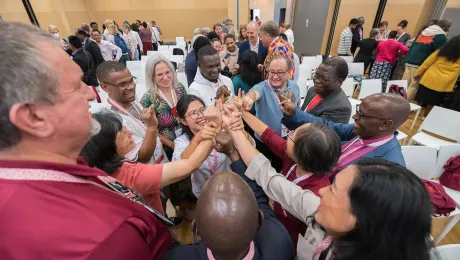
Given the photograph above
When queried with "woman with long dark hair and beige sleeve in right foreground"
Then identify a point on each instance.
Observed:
(375, 209)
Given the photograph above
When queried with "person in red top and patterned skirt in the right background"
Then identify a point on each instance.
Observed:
(387, 51)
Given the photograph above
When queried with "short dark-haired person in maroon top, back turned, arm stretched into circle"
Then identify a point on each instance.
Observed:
(309, 154)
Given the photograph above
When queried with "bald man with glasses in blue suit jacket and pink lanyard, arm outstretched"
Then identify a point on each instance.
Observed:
(373, 135)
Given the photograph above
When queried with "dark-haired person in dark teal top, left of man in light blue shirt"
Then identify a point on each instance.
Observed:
(249, 73)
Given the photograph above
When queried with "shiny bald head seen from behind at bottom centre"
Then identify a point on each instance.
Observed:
(227, 215)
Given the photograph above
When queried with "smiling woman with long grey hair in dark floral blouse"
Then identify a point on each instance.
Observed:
(164, 91)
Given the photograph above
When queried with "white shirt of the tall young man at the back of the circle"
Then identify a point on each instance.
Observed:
(207, 90)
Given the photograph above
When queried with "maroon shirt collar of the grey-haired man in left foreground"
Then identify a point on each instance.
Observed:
(80, 169)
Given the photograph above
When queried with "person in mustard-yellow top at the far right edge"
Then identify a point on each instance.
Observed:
(438, 74)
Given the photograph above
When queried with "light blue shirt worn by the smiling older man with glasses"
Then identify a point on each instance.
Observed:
(267, 107)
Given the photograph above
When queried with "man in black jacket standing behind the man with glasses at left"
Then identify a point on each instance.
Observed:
(84, 60)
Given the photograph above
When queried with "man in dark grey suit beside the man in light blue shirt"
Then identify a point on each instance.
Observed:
(327, 99)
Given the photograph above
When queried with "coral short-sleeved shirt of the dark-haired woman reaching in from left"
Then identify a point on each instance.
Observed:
(145, 179)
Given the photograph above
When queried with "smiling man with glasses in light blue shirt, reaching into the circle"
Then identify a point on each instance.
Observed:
(266, 97)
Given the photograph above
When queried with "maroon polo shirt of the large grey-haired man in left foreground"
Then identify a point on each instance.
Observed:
(47, 219)
